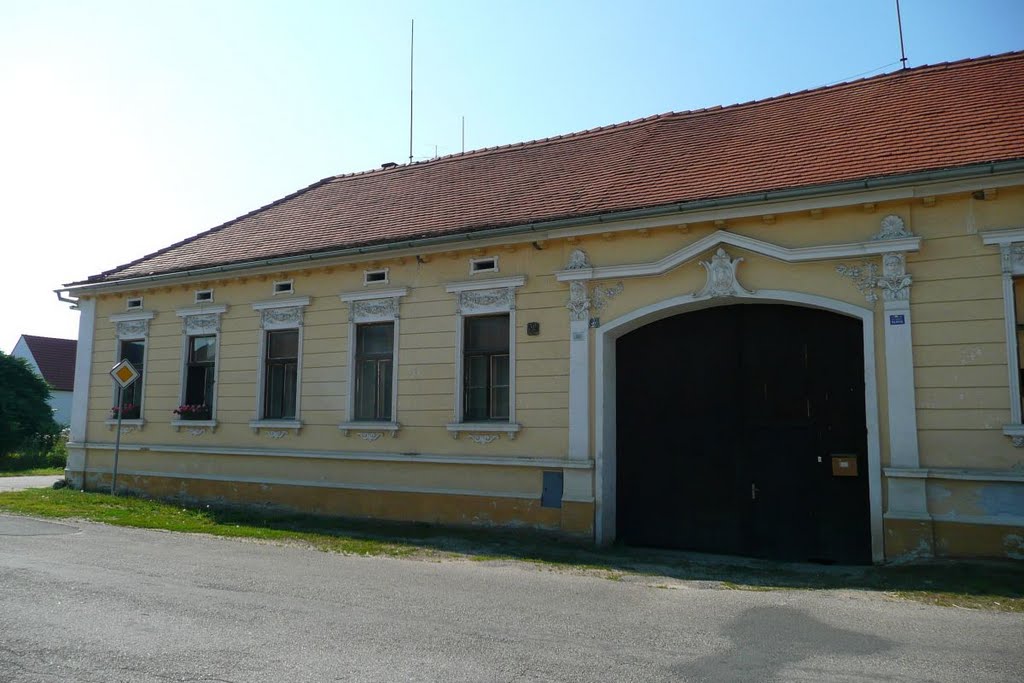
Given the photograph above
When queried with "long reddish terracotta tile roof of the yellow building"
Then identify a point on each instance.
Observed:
(929, 118)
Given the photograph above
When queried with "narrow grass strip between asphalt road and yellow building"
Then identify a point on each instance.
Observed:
(997, 586)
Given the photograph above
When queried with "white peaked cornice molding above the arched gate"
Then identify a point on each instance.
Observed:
(787, 254)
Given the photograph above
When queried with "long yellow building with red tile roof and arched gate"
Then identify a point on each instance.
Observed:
(783, 329)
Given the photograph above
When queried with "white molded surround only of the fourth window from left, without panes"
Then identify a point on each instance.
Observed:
(373, 307)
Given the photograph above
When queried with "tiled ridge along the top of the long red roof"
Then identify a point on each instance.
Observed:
(705, 111)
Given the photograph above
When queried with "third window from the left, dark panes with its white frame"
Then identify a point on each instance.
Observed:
(280, 379)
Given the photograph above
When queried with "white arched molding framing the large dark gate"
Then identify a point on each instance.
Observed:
(605, 407)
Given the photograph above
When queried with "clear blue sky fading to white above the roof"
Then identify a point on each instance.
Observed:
(126, 126)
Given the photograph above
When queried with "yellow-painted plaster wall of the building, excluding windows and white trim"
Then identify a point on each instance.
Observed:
(959, 350)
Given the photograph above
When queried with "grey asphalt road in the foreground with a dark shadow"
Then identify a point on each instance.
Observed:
(89, 603)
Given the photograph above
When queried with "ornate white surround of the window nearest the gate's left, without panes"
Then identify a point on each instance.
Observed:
(485, 297)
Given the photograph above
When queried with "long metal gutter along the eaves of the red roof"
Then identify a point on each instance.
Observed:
(975, 172)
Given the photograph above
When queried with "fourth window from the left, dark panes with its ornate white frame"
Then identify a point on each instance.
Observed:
(373, 361)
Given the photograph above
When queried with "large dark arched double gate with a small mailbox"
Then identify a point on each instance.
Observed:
(741, 431)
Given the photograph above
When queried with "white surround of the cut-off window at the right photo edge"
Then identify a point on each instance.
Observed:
(1011, 244)
